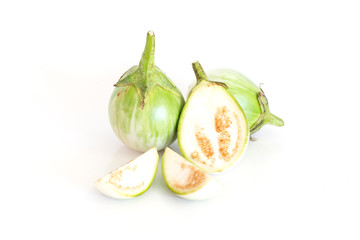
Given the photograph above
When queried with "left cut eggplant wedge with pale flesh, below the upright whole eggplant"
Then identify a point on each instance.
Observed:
(131, 179)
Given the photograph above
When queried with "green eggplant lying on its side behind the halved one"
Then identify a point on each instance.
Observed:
(250, 97)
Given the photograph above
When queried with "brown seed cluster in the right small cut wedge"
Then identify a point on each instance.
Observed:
(194, 178)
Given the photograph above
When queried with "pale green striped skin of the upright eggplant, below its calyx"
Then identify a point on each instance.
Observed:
(153, 125)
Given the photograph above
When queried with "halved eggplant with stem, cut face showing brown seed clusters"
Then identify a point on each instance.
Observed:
(213, 131)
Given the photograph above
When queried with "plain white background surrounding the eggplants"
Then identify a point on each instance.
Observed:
(60, 59)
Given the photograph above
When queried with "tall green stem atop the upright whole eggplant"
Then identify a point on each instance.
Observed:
(147, 59)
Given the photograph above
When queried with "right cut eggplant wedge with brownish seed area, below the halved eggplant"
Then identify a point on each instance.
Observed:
(186, 180)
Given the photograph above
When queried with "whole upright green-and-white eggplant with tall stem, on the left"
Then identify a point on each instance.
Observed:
(145, 106)
